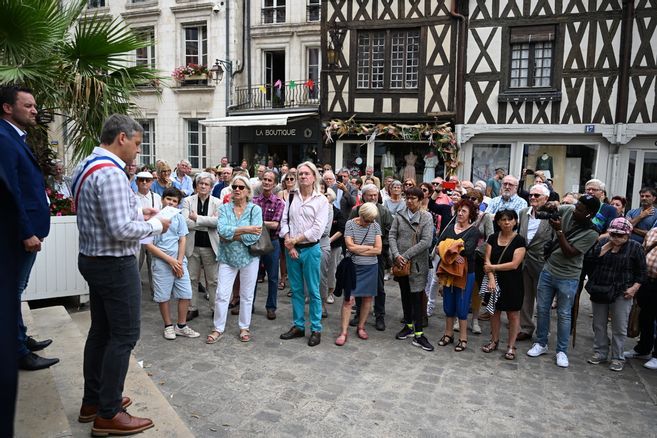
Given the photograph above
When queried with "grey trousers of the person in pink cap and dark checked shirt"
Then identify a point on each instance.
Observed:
(620, 313)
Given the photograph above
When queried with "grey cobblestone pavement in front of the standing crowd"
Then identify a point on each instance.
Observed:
(384, 387)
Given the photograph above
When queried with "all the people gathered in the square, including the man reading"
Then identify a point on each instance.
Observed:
(486, 247)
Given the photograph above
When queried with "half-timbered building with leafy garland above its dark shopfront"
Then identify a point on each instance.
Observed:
(389, 81)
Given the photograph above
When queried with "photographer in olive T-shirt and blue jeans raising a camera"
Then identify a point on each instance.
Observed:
(564, 256)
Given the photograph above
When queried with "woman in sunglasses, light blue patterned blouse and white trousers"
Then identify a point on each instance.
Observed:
(239, 226)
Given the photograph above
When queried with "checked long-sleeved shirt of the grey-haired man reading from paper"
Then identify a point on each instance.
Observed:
(109, 218)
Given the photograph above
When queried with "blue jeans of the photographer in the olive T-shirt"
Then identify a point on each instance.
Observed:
(565, 290)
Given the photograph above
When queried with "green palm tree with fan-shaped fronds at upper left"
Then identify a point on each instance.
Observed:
(77, 65)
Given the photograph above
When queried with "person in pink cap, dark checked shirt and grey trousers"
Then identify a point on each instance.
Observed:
(619, 269)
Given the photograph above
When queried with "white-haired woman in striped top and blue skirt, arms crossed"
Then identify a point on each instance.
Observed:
(363, 240)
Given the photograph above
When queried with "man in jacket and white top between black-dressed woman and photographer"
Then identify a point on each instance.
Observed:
(535, 228)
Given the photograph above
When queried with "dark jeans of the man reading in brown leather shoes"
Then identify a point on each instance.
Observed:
(114, 302)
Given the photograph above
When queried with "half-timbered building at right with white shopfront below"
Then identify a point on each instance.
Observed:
(567, 87)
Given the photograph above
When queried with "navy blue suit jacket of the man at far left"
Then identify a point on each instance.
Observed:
(23, 172)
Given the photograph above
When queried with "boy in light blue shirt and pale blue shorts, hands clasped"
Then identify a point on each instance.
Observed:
(170, 274)
